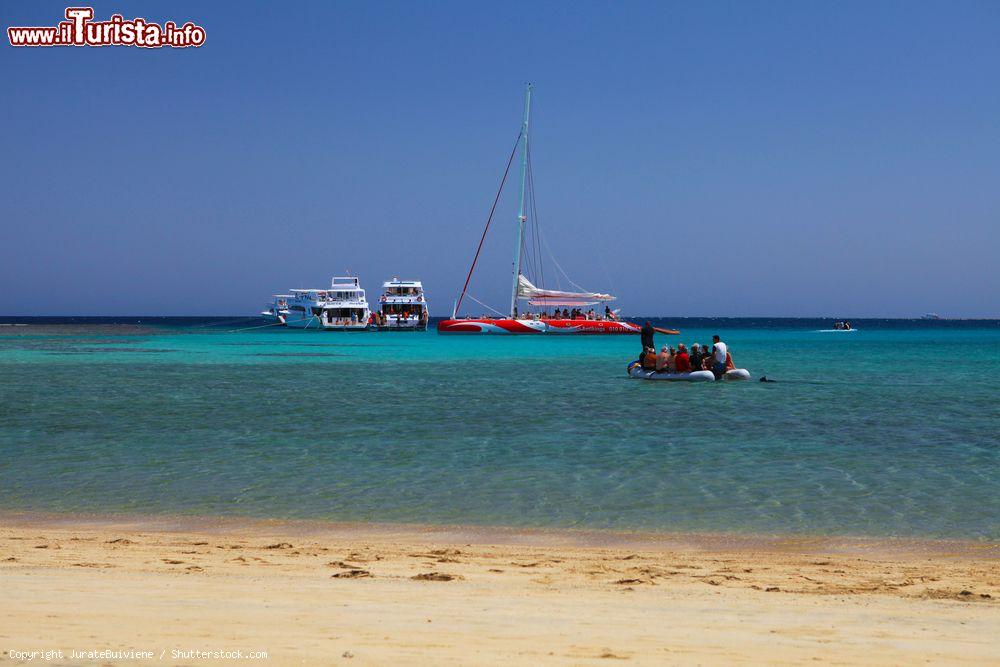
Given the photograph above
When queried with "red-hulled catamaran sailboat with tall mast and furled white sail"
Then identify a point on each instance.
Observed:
(523, 289)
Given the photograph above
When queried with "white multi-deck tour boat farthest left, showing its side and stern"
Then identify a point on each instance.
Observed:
(343, 307)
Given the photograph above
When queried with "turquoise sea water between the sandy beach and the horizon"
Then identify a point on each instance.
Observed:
(891, 430)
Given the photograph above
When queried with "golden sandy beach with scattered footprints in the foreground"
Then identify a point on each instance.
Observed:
(317, 593)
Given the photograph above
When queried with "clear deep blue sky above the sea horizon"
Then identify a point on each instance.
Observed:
(696, 159)
